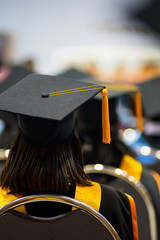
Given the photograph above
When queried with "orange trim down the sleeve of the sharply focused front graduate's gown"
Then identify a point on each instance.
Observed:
(134, 217)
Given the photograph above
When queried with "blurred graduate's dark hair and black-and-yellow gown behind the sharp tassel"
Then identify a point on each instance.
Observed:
(117, 153)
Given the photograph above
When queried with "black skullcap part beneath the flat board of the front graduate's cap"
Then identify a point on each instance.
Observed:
(45, 132)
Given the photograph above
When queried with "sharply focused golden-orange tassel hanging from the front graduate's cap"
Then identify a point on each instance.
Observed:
(105, 117)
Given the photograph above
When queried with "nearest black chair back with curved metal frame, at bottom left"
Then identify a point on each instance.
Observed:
(81, 223)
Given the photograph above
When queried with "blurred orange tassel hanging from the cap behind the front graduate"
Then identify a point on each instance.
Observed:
(138, 110)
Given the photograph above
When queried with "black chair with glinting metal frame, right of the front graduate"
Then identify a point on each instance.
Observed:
(115, 177)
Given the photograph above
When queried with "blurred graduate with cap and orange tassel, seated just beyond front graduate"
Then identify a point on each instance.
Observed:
(117, 153)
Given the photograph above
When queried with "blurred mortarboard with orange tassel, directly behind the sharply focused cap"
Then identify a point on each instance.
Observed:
(114, 92)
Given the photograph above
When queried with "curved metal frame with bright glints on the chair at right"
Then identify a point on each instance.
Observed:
(138, 186)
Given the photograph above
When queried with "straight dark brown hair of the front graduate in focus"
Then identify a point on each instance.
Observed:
(51, 169)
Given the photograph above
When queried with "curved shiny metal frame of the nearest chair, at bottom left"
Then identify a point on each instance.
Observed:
(65, 200)
